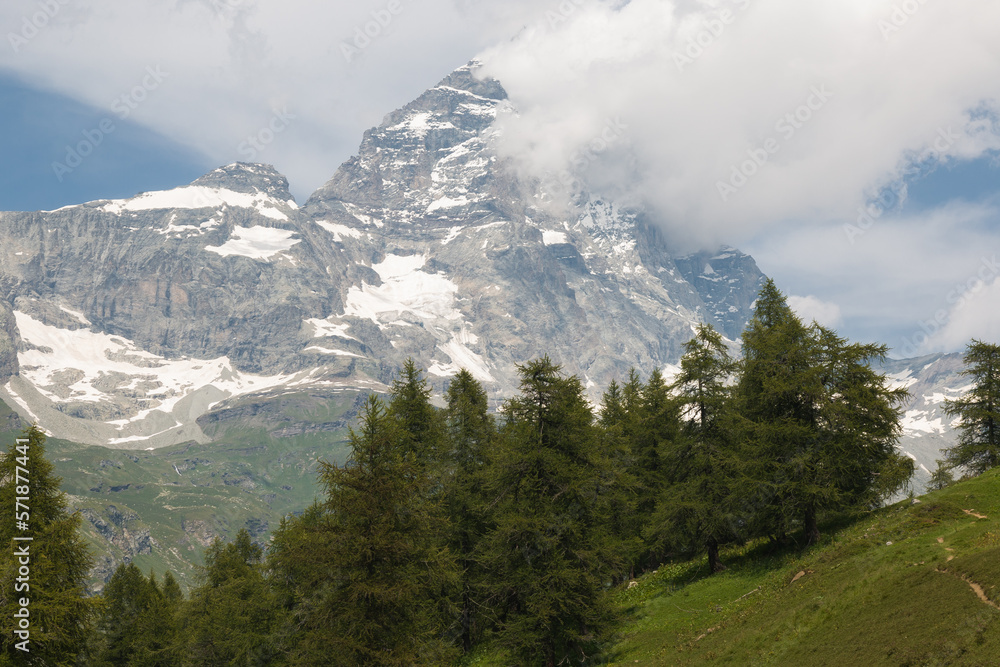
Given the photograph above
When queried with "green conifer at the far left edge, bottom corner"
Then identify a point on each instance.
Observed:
(61, 616)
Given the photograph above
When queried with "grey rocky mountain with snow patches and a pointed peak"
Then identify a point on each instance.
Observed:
(123, 322)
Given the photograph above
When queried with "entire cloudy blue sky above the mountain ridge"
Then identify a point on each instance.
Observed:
(853, 148)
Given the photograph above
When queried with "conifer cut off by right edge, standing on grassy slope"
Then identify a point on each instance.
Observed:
(978, 446)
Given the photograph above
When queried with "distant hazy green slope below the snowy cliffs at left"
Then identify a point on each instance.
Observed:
(161, 508)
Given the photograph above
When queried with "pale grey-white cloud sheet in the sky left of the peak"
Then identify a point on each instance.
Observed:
(233, 64)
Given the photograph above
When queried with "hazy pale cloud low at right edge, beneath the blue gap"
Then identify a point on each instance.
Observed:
(908, 276)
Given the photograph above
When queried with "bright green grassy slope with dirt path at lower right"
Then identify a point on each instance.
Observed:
(900, 586)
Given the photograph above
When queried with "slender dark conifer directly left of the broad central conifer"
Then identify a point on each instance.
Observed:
(470, 434)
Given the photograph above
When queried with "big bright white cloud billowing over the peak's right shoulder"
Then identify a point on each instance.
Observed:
(742, 115)
